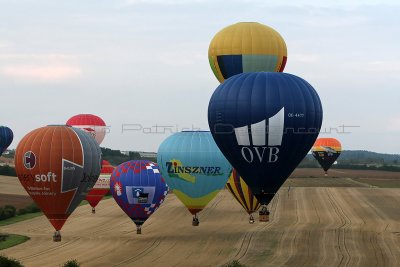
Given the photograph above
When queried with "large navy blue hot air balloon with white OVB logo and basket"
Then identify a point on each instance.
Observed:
(265, 123)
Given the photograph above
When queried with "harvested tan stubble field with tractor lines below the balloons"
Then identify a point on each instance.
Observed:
(308, 227)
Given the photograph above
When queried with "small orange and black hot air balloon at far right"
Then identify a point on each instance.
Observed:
(326, 151)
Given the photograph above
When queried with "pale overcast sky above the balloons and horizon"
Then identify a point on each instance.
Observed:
(138, 64)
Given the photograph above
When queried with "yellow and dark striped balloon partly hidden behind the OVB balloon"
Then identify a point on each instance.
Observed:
(242, 193)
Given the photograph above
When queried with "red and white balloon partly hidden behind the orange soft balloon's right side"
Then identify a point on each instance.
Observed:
(102, 186)
